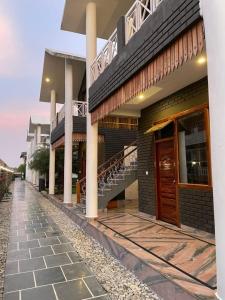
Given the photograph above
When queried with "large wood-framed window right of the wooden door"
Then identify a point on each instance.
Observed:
(193, 148)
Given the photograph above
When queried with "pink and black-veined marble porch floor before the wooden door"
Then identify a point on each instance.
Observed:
(193, 256)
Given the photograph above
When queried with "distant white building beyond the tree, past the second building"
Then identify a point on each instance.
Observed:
(37, 138)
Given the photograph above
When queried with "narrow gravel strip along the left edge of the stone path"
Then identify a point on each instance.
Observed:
(5, 212)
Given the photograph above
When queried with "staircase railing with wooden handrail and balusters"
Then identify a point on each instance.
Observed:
(106, 169)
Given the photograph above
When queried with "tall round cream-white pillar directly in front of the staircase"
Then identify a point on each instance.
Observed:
(92, 130)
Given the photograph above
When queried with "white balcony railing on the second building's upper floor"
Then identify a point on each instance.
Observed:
(79, 109)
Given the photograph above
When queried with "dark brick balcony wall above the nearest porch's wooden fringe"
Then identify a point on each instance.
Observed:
(170, 19)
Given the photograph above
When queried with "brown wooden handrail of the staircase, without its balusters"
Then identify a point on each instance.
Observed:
(81, 181)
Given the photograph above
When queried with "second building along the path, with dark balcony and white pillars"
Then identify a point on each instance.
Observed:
(64, 84)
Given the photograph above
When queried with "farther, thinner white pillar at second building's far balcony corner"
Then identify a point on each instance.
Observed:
(52, 151)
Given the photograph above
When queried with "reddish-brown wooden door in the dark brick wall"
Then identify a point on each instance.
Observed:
(166, 182)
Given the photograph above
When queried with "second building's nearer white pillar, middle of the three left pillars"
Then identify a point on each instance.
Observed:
(68, 155)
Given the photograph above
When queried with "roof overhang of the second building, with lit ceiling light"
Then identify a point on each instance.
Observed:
(53, 77)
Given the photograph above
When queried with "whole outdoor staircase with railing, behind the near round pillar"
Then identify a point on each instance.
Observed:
(114, 176)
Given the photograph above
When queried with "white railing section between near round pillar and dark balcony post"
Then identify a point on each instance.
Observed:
(105, 57)
